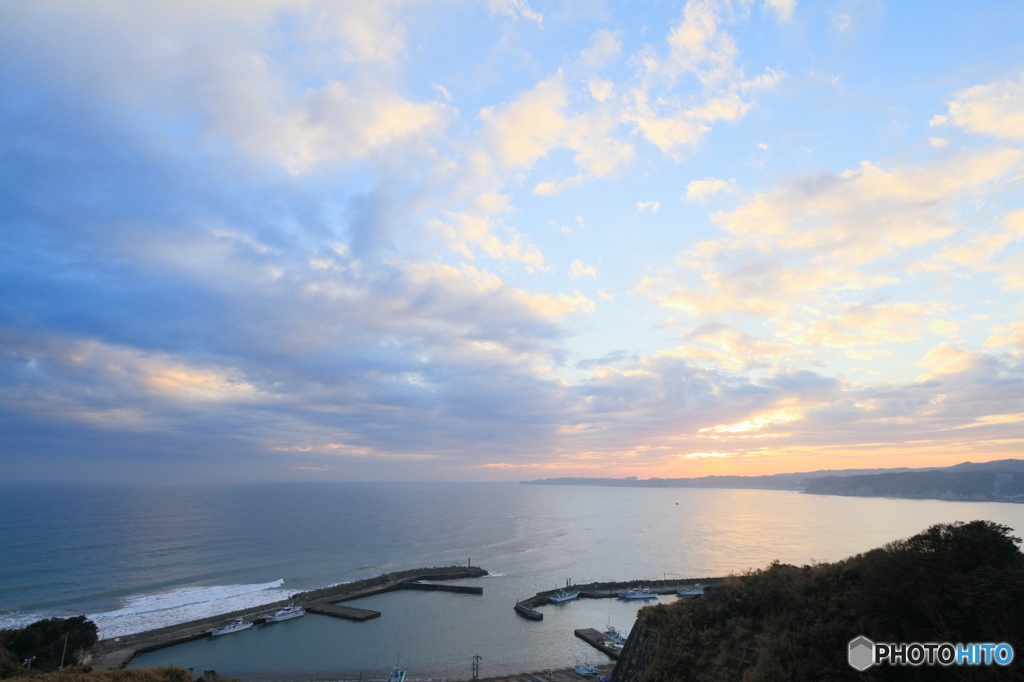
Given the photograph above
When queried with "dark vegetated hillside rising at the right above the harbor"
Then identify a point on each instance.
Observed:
(953, 583)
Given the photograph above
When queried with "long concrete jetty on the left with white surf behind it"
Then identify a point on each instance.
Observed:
(116, 653)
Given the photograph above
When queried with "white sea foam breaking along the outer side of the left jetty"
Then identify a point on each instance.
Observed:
(158, 611)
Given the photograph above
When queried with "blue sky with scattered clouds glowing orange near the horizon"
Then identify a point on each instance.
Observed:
(506, 240)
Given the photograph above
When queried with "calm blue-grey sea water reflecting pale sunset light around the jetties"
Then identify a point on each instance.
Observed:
(137, 558)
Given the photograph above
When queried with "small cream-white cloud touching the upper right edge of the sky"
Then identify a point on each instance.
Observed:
(995, 109)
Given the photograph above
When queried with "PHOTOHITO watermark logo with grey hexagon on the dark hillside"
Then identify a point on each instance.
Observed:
(864, 654)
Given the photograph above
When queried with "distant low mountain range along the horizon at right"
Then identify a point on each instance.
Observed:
(1002, 481)
